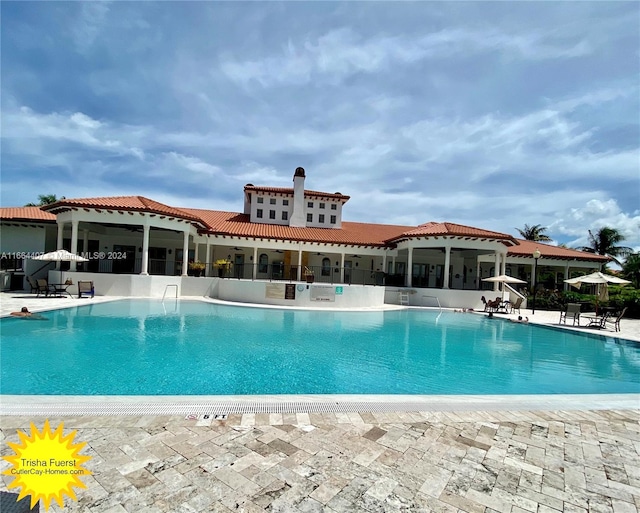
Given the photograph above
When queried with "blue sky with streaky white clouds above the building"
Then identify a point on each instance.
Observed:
(488, 114)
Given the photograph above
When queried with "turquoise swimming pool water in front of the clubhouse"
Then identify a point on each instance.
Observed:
(141, 347)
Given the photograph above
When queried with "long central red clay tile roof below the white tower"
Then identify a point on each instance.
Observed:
(357, 234)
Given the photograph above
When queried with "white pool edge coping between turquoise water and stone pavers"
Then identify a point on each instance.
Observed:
(30, 405)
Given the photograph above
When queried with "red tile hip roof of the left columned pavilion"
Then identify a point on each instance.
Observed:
(128, 203)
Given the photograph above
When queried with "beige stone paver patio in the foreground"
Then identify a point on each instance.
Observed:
(539, 461)
